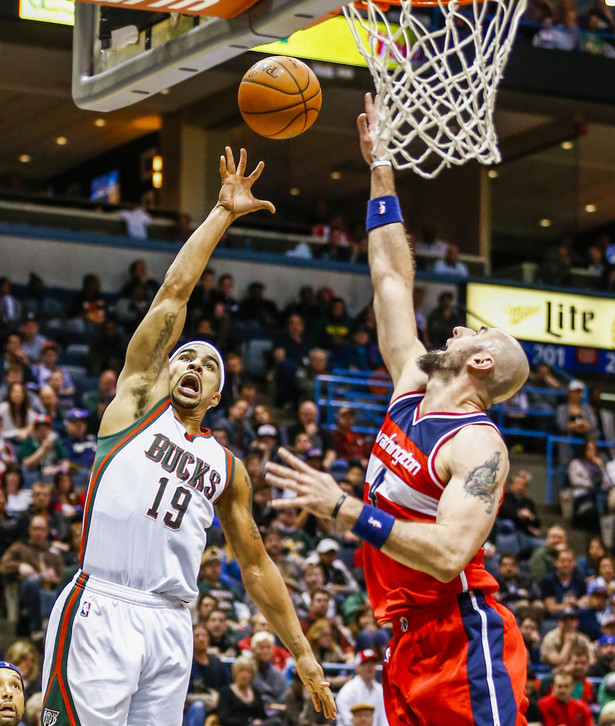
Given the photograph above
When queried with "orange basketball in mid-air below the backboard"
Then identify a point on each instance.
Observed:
(279, 97)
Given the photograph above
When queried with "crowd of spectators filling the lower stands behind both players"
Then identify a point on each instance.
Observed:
(59, 369)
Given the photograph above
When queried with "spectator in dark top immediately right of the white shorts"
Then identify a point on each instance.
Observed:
(207, 677)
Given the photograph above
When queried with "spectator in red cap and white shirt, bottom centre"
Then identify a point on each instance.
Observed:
(362, 689)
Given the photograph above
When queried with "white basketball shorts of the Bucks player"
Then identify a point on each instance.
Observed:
(115, 656)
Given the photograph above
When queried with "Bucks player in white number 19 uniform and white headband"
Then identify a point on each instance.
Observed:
(119, 641)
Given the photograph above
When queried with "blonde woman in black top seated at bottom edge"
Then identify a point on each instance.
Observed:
(239, 703)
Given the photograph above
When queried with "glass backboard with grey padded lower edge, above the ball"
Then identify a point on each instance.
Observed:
(141, 59)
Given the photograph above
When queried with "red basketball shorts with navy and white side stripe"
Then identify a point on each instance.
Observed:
(461, 664)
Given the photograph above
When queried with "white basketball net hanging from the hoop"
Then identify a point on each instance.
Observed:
(436, 86)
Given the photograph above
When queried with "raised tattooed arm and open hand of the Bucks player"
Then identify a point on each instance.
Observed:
(145, 378)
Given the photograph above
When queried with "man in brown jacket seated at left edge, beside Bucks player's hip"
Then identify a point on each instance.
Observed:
(38, 570)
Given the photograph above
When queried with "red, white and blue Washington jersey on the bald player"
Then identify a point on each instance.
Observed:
(401, 479)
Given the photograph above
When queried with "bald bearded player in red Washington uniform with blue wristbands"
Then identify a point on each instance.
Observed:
(434, 481)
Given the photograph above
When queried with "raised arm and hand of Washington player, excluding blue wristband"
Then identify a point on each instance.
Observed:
(391, 264)
